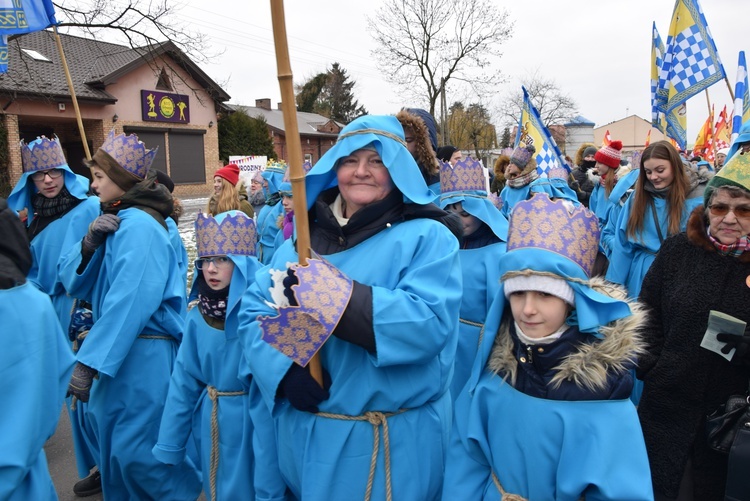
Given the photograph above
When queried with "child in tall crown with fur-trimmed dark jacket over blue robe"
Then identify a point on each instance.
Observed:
(546, 414)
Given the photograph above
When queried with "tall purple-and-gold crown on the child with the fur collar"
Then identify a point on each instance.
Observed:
(555, 226)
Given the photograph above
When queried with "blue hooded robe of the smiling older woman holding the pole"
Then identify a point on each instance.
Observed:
(413, 270)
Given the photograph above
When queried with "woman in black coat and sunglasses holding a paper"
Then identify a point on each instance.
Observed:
(706, 268)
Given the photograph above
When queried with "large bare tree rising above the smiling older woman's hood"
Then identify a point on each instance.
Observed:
(425, 44)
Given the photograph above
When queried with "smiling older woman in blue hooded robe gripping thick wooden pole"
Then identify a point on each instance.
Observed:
(389, 360)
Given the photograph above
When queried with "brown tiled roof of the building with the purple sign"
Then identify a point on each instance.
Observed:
(93, 65)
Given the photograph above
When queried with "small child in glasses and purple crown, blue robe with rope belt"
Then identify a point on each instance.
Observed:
(205, 373)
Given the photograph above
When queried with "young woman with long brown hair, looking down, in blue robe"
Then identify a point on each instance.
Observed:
(665, 195)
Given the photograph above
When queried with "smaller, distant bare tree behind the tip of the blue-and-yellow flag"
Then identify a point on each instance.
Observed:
(554, 106)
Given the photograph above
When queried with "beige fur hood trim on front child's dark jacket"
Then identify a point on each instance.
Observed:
(618, 349)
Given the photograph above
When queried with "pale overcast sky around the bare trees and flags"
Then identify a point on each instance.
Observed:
(597, 51)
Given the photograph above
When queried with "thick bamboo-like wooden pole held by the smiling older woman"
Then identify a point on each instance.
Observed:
(294, 148)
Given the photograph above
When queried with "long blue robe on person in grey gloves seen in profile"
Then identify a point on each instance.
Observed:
(133, 282)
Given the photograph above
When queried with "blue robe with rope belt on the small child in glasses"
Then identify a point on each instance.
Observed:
(209, 356)
